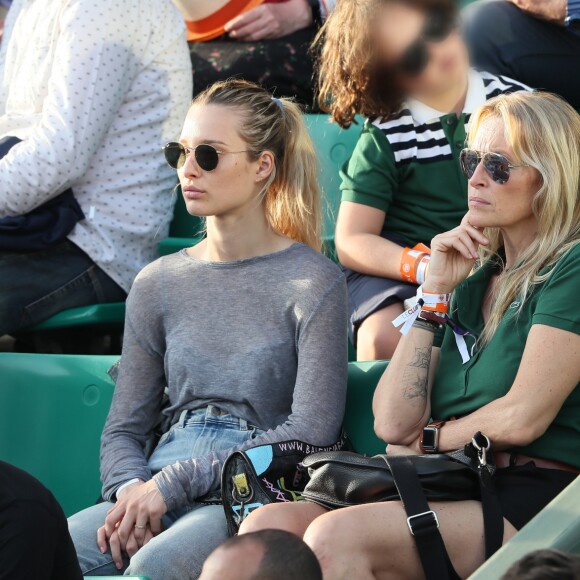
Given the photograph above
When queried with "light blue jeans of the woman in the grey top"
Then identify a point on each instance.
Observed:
(192, 532)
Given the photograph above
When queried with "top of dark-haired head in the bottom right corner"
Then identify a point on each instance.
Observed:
(545, 565)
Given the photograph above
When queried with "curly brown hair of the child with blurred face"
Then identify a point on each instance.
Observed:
(349, 80)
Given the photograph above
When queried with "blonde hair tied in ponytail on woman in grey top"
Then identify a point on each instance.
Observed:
(291, 195)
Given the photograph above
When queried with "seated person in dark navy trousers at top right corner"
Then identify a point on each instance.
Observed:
(534, 41)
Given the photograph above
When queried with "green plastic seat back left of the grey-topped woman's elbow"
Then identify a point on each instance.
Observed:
(52, 412)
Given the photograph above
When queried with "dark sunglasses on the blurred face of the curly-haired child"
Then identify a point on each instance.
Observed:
(437, 28)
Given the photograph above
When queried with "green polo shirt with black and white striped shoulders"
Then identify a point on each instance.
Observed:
(408, 165)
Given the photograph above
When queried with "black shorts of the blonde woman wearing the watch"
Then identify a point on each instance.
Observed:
(524, 490)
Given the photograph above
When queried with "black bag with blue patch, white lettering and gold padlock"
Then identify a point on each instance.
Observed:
(266, 474)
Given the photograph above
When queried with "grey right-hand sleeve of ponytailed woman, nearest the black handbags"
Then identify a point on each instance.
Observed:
(318, 402)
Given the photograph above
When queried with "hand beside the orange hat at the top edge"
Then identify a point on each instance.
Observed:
(269, 21)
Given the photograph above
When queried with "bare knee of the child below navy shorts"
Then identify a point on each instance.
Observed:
(377, 338)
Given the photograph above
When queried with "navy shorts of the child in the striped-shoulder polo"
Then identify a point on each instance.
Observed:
(369, 294)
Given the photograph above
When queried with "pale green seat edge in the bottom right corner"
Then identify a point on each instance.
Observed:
(557, 527)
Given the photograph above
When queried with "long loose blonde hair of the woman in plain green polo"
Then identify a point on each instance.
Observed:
(544, 133)
